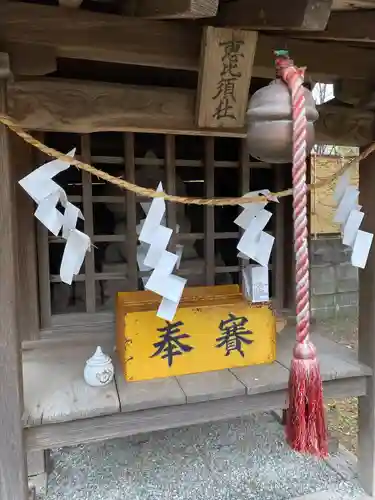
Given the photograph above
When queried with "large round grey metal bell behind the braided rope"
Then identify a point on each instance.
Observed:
(270, 126)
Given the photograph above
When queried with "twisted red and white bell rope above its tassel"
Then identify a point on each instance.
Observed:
(294, 78)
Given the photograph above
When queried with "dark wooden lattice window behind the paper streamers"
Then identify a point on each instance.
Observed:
(191, 166)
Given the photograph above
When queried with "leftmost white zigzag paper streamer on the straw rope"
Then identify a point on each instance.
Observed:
(46, 193)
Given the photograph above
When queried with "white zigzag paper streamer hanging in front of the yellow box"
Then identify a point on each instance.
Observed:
(156, 236)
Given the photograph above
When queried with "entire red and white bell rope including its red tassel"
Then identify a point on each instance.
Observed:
(305, 427)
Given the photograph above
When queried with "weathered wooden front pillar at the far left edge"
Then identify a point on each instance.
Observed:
(13, 477)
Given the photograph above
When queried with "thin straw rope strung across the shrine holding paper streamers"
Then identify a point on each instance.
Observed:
(151, 193)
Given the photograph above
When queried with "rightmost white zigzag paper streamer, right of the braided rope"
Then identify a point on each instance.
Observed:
(348, 214)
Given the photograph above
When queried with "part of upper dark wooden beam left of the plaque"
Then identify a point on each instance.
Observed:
(79, 34)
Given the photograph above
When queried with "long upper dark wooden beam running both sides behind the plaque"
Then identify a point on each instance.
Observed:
(108, 38)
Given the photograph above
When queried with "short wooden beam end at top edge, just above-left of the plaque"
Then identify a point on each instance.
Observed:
(172, 9)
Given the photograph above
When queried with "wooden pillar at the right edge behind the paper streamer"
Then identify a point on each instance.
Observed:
(366, 332)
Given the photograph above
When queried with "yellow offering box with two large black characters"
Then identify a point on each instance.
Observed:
(214, 328)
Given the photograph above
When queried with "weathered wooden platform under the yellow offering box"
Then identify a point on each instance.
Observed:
(61, 410)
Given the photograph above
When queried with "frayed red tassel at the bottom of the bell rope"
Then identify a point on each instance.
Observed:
(306, 429)
